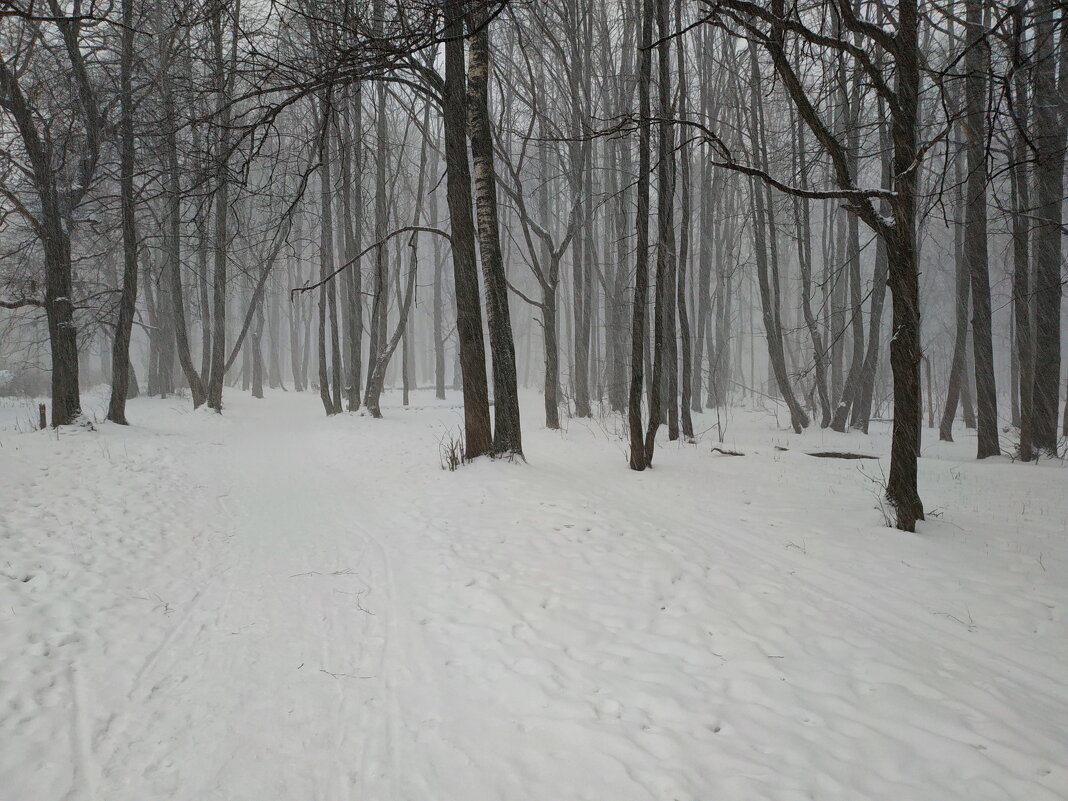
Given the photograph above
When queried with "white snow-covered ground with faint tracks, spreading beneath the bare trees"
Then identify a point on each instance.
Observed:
(273, 606)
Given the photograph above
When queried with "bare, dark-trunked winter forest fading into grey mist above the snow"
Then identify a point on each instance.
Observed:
(642, 208)
